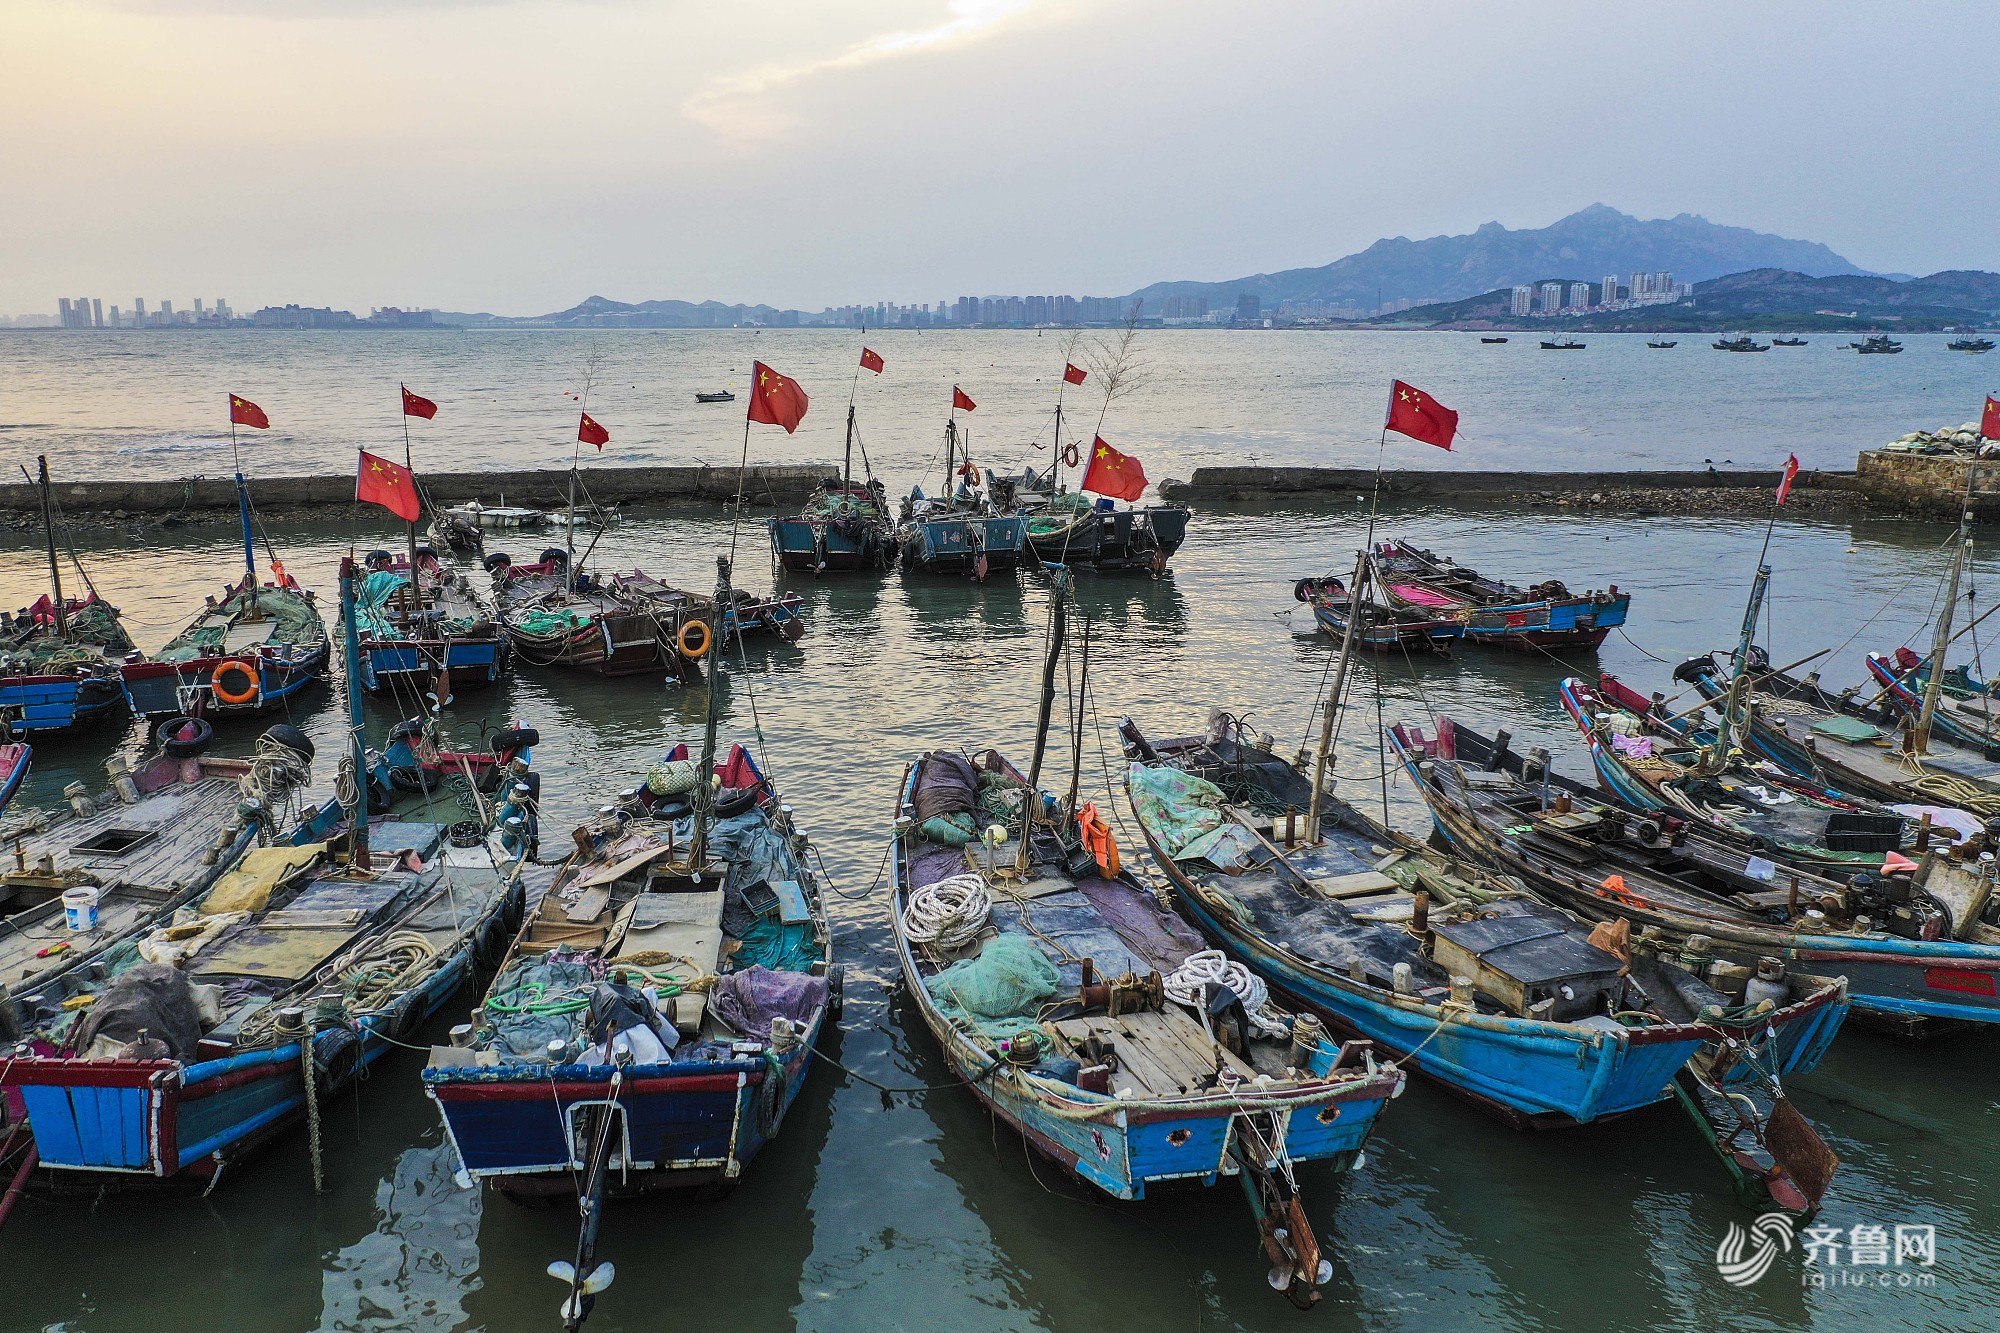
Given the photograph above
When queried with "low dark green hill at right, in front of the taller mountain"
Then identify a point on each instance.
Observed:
(1757, 299)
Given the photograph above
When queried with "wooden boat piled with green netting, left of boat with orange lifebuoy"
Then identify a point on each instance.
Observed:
(583, 623)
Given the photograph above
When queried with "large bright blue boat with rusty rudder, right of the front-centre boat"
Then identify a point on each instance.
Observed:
(1507, 1002)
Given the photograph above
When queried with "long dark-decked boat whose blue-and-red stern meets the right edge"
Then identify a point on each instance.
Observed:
(1917, 948)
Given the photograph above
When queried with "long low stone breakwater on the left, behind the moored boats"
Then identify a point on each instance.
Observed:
(213, 499)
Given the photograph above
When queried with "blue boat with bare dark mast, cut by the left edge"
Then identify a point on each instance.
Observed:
(61, 657)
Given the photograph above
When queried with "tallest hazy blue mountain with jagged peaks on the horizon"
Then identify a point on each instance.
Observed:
(1591, 243)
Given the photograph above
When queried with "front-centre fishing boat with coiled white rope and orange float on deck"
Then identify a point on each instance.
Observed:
(1091, 1020)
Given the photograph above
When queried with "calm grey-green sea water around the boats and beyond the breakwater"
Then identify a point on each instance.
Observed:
(915, 1214)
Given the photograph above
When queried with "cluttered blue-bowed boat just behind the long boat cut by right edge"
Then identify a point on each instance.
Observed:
(1649, 760)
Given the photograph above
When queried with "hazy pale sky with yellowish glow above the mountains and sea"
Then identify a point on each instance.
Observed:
(519, 155)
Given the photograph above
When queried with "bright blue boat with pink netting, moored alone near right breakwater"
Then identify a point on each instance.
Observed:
(1497, 613)
